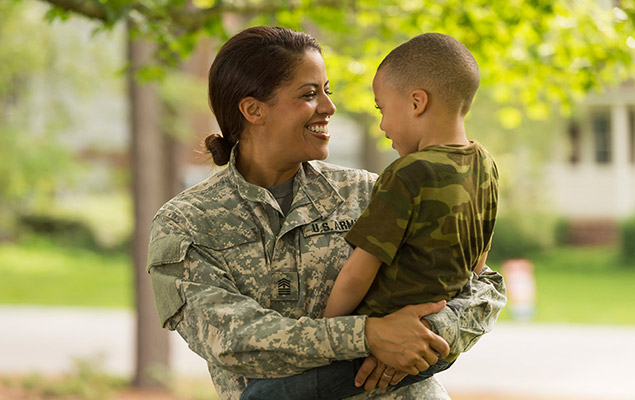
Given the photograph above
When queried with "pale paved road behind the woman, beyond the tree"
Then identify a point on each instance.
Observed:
(516, 360)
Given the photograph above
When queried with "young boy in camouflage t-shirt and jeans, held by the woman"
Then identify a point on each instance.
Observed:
(430, 221)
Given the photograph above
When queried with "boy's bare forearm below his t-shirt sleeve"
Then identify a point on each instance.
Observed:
(352, 283)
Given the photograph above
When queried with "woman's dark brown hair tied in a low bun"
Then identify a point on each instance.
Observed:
(253, 63)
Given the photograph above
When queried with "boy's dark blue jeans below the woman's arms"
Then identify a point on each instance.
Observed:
(333, 381)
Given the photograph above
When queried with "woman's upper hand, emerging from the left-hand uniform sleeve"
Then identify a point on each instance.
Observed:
(402, 340)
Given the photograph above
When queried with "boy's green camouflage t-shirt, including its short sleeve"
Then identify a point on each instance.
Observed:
(430, 219)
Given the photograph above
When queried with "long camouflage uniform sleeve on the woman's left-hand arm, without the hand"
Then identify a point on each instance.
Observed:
(196, 295)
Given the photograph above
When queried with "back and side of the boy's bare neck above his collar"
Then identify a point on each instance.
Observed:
(443, 130)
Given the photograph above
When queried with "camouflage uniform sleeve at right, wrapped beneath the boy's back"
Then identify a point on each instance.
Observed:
(472, 313)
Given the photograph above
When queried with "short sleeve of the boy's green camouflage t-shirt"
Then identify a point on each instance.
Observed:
(381, 228)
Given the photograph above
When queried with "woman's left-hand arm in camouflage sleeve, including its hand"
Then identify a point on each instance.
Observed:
(197, 298)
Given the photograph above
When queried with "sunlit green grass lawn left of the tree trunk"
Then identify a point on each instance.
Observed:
(37, 271)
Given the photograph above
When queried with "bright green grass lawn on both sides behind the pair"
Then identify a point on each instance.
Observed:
(574, 285)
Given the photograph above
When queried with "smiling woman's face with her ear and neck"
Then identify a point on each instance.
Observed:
(296, 119)
